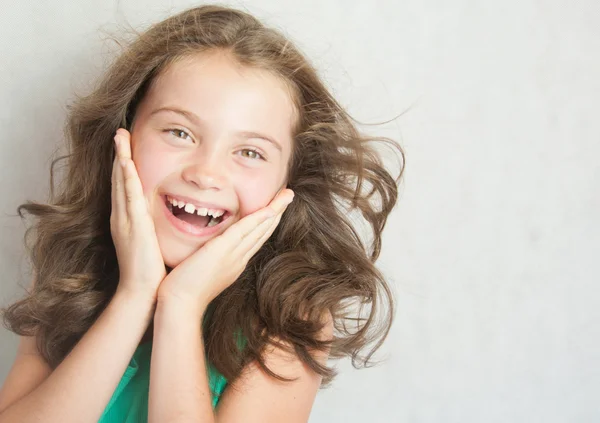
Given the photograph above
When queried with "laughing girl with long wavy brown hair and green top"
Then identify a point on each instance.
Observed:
(174, 277)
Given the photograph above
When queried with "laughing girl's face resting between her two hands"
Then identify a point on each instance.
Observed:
(211, 131)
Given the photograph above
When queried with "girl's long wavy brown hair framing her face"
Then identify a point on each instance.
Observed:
(314, 262)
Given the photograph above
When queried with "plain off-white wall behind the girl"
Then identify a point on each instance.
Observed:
(493, 248)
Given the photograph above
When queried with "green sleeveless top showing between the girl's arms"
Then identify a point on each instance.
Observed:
(129, 403)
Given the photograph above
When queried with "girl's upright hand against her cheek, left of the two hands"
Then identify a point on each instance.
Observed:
(141, 266)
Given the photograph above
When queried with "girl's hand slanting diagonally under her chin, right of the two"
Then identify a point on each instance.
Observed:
(205, 274)
